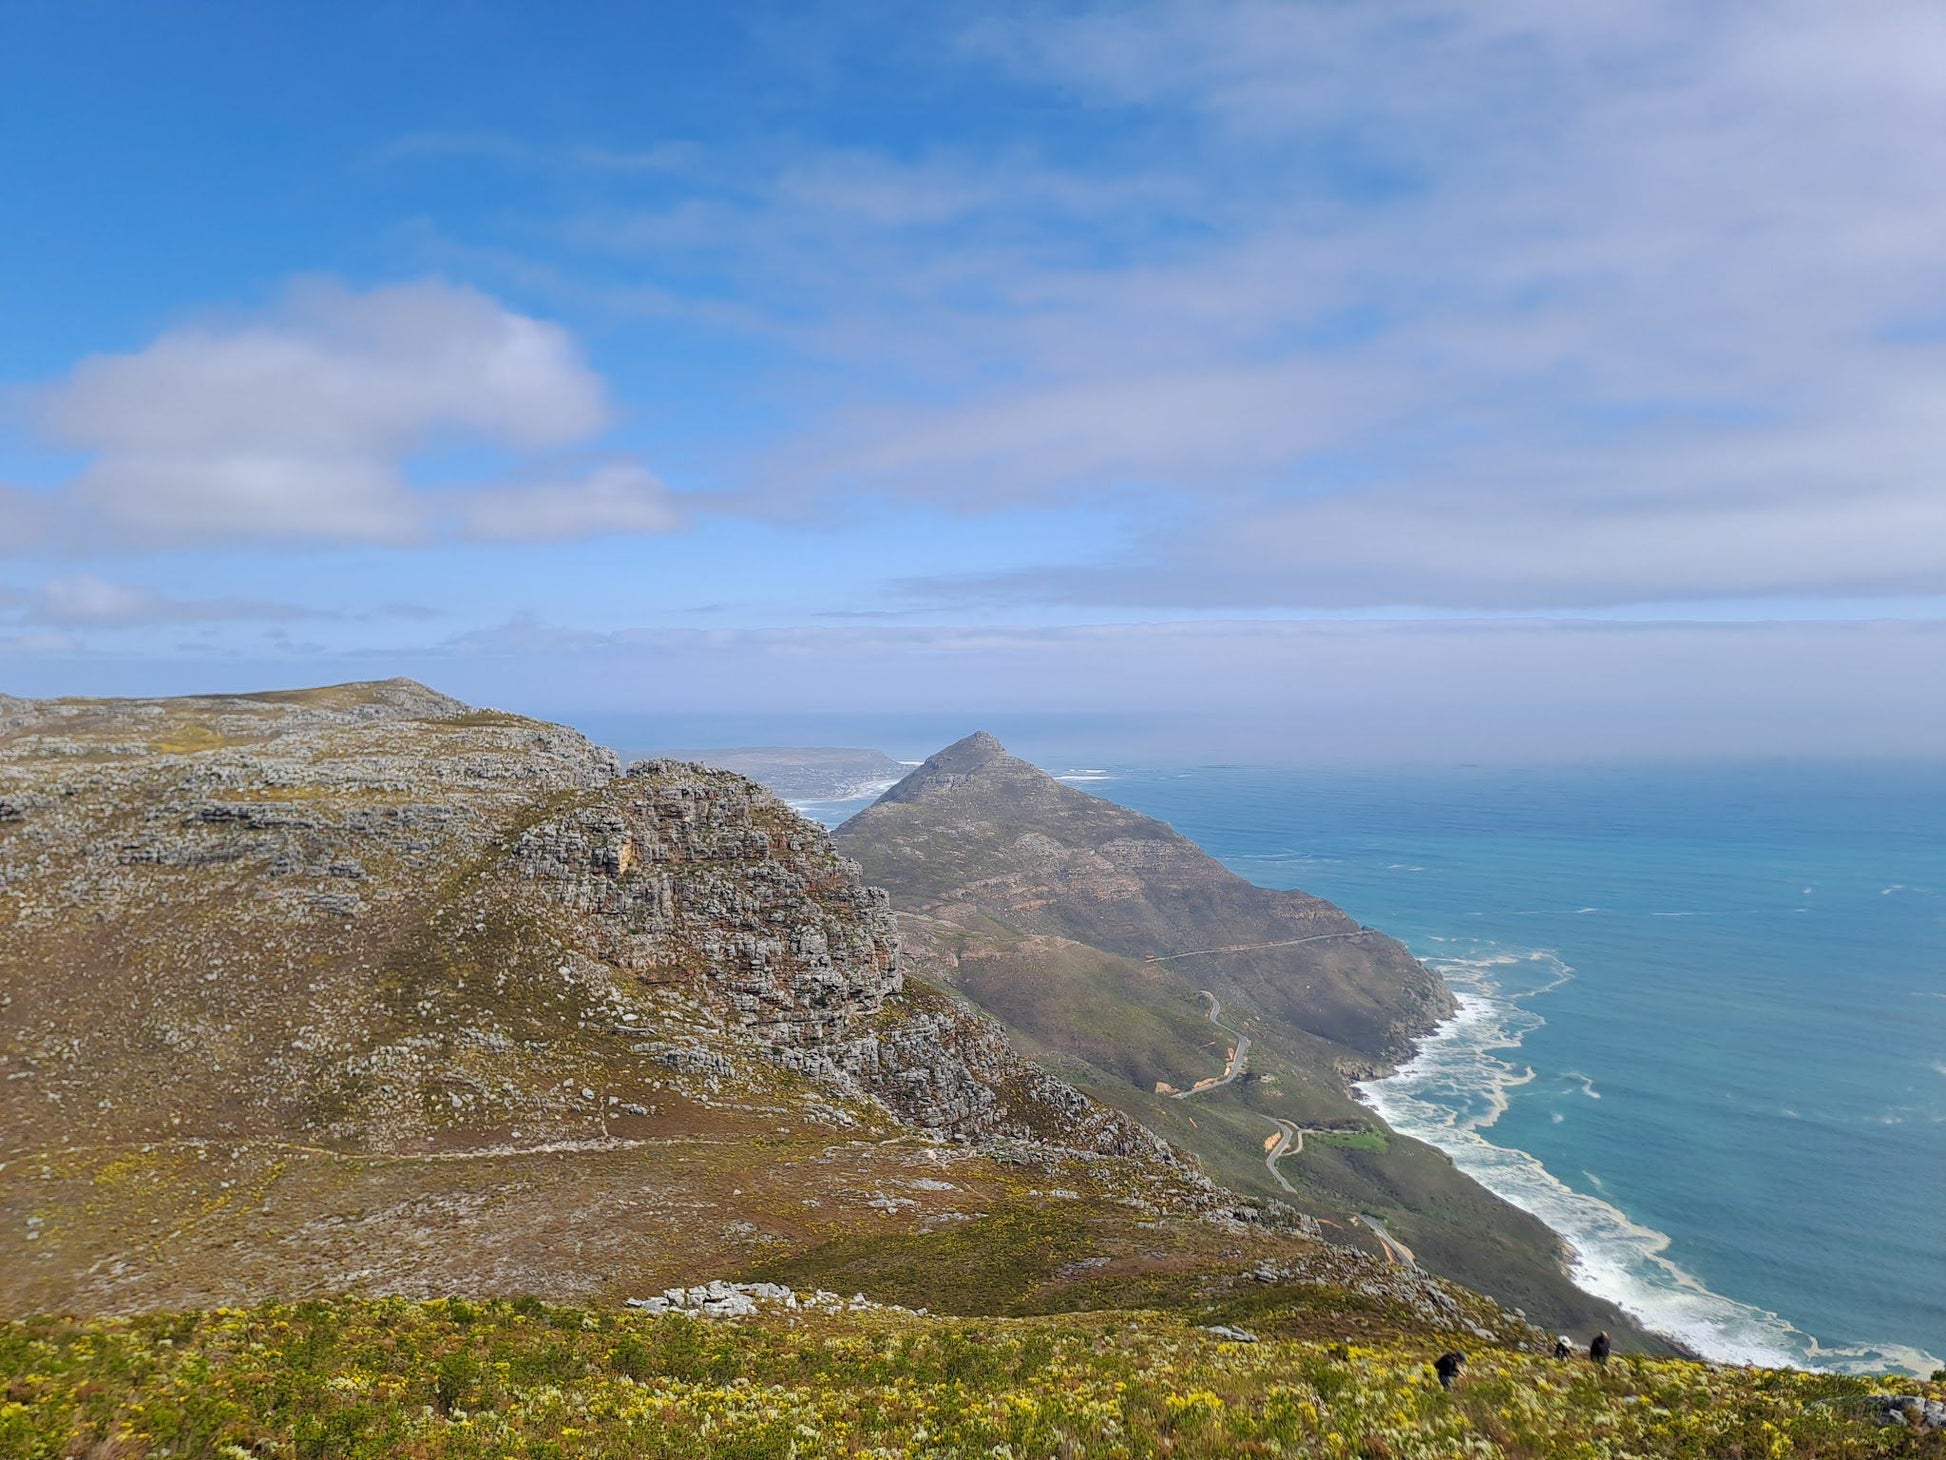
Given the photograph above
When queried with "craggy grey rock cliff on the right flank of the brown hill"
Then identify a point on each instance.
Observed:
(698, 879)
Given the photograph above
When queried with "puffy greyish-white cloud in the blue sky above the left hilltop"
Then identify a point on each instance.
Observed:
(303, 425)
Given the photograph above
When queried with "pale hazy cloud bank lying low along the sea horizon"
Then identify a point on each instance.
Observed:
(1355, 692)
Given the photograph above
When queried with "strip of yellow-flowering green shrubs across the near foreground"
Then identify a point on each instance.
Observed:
(349, 1379)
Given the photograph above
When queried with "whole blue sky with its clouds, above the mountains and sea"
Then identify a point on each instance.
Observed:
(1577, 369)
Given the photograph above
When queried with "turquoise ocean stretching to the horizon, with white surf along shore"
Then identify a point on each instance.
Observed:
(1704, 1019)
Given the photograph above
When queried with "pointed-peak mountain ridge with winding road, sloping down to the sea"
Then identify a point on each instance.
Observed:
(1106, 943)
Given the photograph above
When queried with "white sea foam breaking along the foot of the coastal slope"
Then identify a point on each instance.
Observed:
(1460, 1083)
